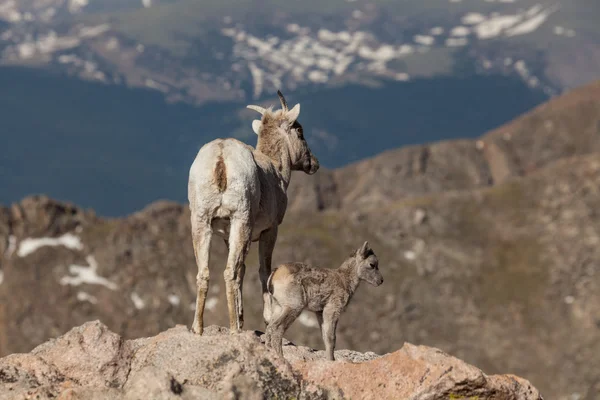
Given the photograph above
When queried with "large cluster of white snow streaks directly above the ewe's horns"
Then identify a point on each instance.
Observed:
(315, 57)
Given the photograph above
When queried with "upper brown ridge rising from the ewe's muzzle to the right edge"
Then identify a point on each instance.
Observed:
(565, 126)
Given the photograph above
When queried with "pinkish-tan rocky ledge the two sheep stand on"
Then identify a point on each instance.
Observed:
(91, 362)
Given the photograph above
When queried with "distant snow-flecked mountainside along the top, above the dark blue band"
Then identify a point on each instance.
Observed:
(224, 51)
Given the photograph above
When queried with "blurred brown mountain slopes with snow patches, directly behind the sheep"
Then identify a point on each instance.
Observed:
(489, 253)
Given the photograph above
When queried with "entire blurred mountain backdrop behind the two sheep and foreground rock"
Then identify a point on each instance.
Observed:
(460, 137)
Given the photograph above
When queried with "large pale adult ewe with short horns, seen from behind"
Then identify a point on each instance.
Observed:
(239, 193)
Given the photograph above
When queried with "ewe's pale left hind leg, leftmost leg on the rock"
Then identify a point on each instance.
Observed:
(201, 236)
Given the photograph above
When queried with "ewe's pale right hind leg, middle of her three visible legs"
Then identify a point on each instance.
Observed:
(239, 244)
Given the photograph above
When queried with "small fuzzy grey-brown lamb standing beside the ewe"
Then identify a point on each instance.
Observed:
(327, 292)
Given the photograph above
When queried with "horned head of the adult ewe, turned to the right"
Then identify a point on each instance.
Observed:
(280, 130)
